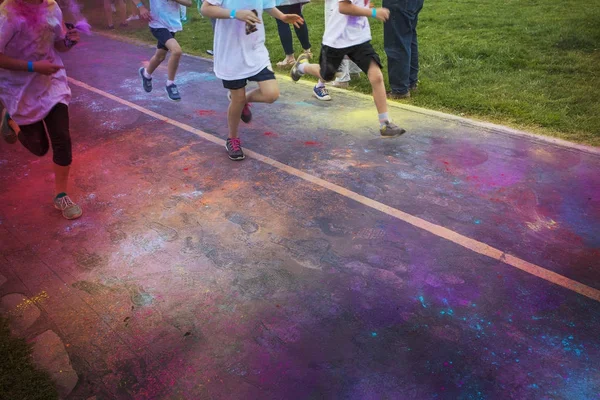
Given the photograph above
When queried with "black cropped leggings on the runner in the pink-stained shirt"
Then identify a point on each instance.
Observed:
(56, 125)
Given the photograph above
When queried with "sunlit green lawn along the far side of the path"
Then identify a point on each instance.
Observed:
(532, 65)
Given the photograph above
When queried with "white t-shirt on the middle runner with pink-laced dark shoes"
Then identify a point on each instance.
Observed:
(237, 55)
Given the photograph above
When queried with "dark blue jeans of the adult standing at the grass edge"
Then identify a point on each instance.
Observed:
(400, 43)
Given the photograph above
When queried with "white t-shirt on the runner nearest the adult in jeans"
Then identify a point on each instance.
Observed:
(343, 31)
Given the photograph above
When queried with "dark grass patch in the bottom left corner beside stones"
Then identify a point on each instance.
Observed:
(19, 378)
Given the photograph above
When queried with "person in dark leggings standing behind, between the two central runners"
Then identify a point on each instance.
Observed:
(285, 33)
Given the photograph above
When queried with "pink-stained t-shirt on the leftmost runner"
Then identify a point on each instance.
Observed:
(28, 96)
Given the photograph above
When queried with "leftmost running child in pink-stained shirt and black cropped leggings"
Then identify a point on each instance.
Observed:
(34, 87)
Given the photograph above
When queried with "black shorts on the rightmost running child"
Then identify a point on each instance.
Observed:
(361, 55)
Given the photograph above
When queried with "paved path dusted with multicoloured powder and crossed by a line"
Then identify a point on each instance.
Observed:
(456, 262)
